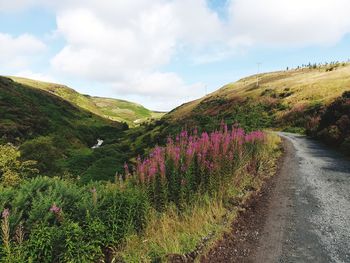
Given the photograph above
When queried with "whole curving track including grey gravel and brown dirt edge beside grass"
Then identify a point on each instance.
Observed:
(303, 214)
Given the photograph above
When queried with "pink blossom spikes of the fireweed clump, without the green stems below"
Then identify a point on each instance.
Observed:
(210, 150)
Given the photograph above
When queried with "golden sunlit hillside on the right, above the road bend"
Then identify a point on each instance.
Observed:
(283, 99)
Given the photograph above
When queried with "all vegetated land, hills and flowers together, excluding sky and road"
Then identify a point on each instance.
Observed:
(62, 201)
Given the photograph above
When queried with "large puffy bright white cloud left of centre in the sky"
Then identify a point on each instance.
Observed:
(101, 50)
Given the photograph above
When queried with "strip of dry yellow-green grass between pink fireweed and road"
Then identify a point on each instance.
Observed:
(172, 235)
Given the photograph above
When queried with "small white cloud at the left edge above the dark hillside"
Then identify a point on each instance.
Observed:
(17, 52)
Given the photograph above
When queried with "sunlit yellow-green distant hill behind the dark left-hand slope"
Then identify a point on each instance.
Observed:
(114, 109)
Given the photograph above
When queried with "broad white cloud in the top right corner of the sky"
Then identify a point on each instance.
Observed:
(294, 23)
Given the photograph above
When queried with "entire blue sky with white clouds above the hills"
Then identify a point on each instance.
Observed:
(162, 53)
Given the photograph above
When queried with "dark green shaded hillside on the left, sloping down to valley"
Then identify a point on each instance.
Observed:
(28, 112)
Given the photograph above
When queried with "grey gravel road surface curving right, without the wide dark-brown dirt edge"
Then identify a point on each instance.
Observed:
(308, 218)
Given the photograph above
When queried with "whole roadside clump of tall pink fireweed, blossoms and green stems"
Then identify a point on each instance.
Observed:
(195, 163)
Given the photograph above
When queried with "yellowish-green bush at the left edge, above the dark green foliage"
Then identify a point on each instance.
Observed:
(12, 170)
